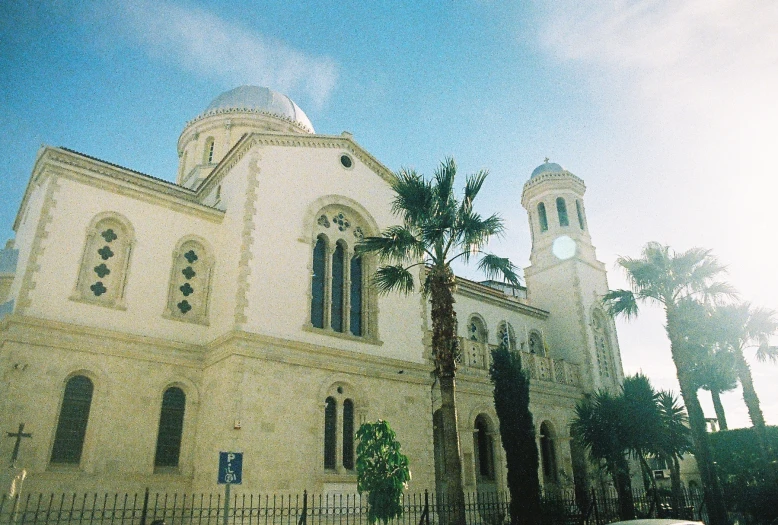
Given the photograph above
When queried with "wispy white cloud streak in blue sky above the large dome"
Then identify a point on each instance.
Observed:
(213, 47)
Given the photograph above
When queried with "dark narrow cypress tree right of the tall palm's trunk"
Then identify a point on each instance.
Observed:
(517, 432)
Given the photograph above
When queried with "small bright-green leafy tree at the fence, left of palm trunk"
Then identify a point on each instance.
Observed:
(382, 471)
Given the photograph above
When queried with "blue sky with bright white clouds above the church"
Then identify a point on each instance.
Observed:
(667, 110)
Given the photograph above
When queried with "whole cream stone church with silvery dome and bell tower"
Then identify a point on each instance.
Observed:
(147, 325)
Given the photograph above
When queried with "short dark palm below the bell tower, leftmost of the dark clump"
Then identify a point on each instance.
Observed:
(599, 427)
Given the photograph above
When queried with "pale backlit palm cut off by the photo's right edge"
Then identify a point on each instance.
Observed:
(743, 326)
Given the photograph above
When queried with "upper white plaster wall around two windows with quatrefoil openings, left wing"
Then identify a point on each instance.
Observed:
(157, 231)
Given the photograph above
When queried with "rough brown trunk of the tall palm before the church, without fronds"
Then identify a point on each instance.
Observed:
(445, 350)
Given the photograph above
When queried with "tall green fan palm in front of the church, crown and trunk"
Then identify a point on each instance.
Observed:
(437, 229)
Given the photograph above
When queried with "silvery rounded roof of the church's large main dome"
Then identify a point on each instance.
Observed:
(260, 100)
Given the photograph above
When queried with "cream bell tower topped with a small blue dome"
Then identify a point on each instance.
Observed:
(565, 277)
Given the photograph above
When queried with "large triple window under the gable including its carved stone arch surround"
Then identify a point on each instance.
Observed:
(342, 300)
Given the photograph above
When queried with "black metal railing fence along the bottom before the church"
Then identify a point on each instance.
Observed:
(491, 508)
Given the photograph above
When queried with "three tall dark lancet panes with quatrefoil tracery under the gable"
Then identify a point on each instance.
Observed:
(340, 298)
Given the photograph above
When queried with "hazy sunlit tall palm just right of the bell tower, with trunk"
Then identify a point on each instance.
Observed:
(673, 281)
